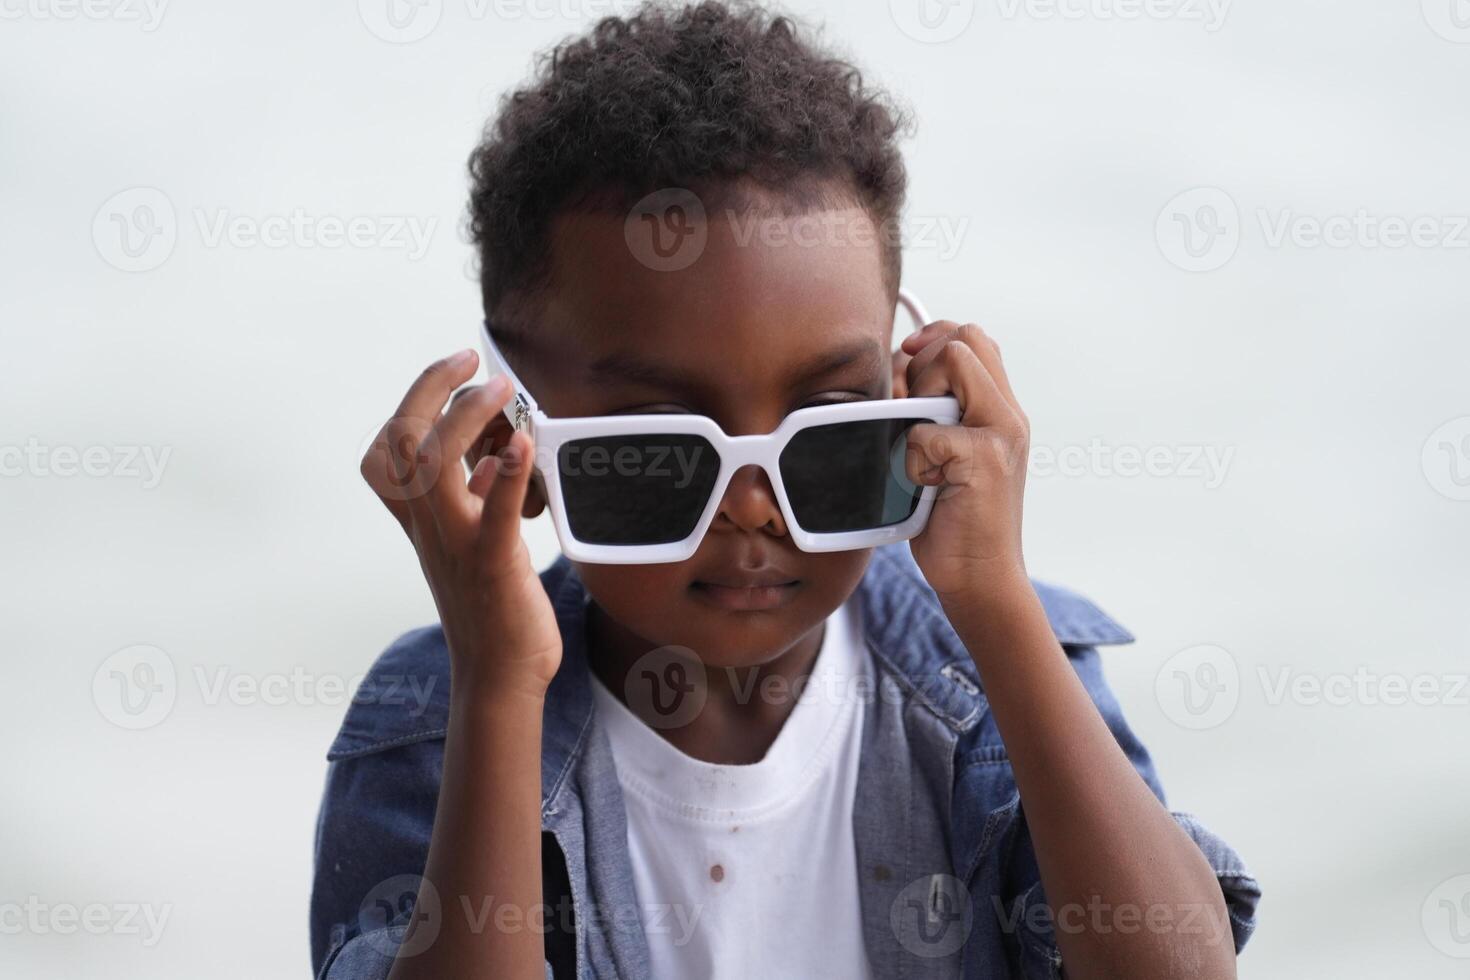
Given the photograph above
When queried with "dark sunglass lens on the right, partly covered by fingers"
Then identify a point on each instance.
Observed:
(850, 475)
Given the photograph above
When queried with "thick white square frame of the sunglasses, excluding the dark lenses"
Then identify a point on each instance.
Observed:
(736, 452)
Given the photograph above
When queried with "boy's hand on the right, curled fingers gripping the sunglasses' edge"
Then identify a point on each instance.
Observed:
(971, 550)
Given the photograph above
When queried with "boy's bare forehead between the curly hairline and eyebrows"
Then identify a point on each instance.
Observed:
(768, 296)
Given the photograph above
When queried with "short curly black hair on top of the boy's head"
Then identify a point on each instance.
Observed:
(702, 98)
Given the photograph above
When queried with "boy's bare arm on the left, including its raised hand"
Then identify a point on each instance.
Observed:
(505, 649)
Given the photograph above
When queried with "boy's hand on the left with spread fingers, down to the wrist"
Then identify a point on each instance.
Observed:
(498, 619)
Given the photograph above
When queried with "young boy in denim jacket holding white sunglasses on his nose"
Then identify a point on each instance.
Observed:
(755, 759)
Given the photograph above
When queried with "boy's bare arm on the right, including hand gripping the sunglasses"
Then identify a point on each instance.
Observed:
(1102, 837)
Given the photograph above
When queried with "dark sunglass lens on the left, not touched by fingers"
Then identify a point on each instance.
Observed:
(637, 490)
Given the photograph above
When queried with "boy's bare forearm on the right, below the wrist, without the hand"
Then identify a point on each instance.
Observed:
(1102, 837)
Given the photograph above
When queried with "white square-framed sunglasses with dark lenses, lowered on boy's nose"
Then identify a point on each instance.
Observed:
(637, 490)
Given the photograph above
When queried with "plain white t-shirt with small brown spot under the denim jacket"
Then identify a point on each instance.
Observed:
(752, 871)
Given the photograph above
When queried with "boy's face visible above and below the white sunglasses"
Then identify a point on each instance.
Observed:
(756, 328)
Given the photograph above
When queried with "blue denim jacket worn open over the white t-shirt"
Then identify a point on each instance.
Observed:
(949, 879)
